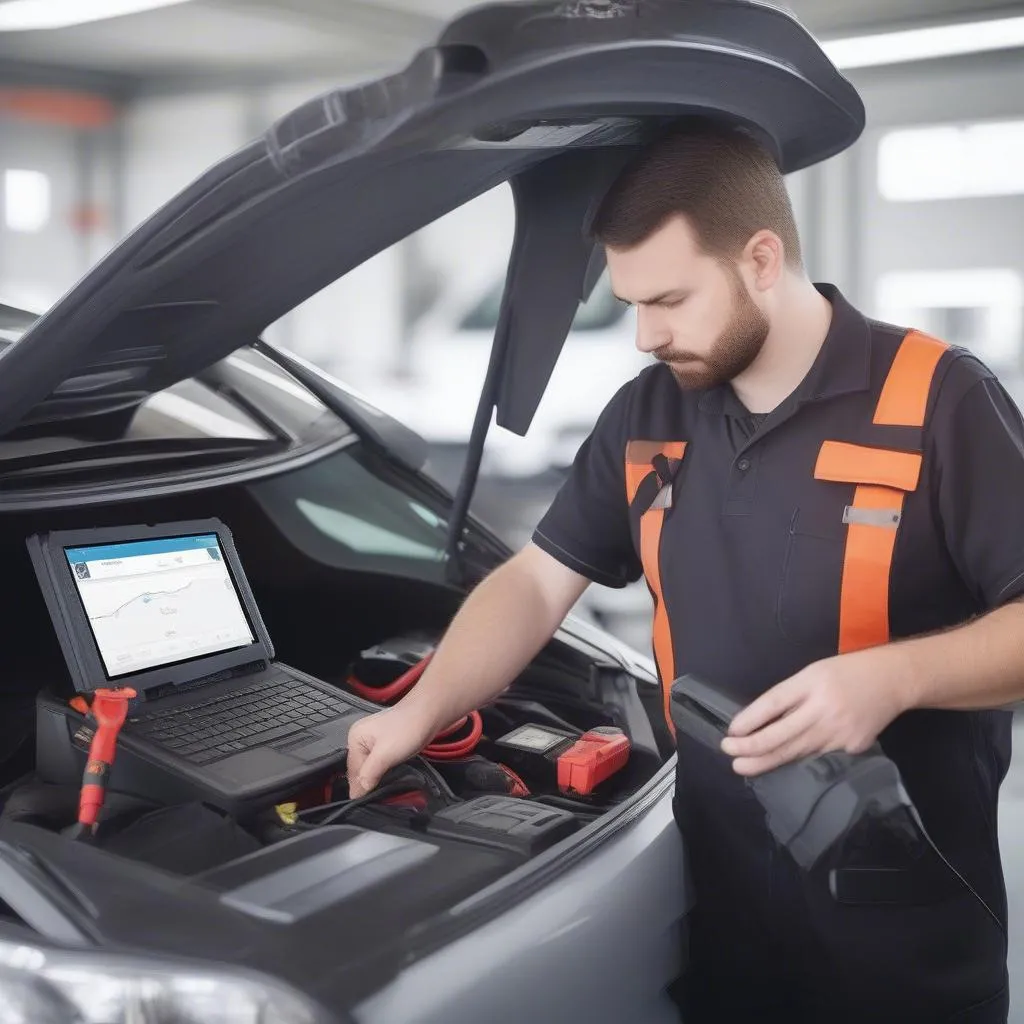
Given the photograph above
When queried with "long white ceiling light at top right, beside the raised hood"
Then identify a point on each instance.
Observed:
(924, 45)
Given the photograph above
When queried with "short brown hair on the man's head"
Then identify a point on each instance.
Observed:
(722, 181)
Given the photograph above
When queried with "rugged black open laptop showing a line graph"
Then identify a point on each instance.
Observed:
(167, 611)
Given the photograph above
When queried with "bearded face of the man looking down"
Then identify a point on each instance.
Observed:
(694, 314)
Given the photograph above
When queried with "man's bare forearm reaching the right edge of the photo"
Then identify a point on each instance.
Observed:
(980, 665)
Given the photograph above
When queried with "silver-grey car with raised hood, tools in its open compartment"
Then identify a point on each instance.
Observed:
(146, 398)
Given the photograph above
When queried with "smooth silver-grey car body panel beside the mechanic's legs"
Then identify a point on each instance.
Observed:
(612, 927)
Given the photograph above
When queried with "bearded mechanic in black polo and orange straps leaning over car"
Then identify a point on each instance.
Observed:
(829, 514)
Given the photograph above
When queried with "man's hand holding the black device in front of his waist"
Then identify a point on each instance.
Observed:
(839, 704)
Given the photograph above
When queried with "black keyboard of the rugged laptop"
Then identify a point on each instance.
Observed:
(255, 716)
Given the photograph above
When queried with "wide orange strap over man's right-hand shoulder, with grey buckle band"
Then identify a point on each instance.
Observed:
(883, 478)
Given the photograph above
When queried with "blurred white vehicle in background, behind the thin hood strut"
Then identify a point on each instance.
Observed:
(448, 363)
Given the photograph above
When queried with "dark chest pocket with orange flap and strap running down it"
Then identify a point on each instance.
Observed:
(834, 591)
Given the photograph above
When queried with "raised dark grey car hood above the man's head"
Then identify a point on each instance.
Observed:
(549, 97)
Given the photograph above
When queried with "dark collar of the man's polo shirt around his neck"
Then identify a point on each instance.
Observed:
(843, 366)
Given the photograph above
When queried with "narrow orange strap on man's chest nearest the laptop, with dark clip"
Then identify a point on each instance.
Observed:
(639, 459)
